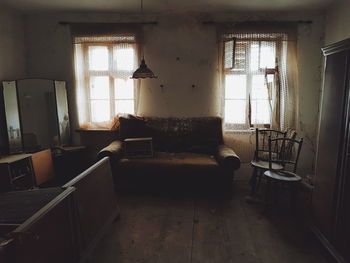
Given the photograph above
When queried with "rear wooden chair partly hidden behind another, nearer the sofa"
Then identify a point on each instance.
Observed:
(260, 163)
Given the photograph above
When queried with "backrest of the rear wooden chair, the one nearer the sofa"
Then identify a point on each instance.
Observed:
(262, 143)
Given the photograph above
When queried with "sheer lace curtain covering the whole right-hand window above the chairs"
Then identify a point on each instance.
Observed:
(259, 76)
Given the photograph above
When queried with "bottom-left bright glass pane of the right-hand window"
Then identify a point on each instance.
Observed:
(235, 111)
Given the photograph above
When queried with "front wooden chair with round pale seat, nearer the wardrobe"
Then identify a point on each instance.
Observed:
(288, 158)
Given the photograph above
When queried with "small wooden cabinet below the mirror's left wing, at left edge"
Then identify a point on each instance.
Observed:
(16, 172)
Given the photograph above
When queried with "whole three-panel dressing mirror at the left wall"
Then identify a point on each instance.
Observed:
(42, 118)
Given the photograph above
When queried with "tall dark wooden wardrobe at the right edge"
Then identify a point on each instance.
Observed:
(331, 196)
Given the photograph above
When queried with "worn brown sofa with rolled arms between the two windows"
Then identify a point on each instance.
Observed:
(189, 155)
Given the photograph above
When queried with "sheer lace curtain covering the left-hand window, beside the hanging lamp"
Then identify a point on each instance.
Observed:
(104, 61)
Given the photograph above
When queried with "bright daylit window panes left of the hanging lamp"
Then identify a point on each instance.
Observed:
(104, 66)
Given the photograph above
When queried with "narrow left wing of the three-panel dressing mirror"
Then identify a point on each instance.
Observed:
(12, 116)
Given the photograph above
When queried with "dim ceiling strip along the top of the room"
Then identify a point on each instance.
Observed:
(166, 5)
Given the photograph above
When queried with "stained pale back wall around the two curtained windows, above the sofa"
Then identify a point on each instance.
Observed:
(182, 51)
